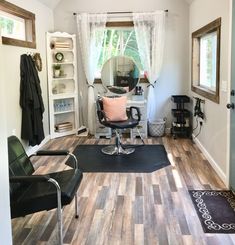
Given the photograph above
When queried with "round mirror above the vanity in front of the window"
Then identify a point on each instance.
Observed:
(120, 74)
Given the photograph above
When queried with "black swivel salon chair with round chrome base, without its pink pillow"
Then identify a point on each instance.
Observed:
(133, 114)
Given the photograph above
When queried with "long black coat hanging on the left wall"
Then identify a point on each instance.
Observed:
(31, 102)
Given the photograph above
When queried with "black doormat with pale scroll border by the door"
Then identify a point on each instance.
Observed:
(215, 209)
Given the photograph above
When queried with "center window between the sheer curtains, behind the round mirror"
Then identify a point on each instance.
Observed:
(119, 39)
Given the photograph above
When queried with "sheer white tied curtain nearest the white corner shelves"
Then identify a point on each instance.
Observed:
(91, 29)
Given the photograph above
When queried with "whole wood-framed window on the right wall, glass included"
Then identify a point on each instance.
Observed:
(206, 60)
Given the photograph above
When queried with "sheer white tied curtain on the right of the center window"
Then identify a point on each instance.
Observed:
(150, 36)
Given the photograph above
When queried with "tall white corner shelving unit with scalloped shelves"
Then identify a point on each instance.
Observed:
(63, 88)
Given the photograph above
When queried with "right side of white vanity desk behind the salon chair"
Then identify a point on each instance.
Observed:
(142, 127)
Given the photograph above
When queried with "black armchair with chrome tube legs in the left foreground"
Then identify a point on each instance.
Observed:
(33, 193)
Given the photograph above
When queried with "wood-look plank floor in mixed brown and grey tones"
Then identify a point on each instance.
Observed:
(128, 208)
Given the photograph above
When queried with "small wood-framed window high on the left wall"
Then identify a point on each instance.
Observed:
(17, 26)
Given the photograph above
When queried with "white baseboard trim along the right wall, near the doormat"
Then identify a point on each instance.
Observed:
(210, 159)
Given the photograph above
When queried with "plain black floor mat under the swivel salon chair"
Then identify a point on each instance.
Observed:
(145, 159)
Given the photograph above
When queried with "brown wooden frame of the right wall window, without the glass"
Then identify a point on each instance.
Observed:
(214, 26)
